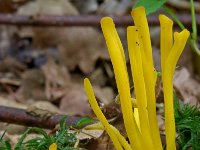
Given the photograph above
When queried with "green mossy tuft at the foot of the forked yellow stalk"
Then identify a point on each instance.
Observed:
(187, 119)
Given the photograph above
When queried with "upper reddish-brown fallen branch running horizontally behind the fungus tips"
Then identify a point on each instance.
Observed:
(10, 19)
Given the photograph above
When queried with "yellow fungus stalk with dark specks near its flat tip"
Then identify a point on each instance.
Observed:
(139, 84)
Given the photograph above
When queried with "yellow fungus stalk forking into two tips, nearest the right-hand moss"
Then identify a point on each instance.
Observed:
(169, 57)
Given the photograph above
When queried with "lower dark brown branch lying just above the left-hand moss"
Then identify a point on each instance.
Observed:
(21, 117)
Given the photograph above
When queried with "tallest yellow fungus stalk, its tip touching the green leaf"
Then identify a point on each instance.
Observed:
(141, 23)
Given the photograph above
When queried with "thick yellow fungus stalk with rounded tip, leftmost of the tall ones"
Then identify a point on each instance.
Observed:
(122, 81)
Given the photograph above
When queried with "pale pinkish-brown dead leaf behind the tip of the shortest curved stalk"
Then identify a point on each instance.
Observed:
(75, 101)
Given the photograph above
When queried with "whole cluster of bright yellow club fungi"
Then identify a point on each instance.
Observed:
(140, 122)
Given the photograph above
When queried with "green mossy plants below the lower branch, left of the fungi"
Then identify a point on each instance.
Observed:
(63, 138)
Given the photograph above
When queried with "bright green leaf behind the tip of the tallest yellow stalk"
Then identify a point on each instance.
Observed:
(150, 5)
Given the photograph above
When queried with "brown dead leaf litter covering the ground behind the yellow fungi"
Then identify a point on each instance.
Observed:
(42, 69)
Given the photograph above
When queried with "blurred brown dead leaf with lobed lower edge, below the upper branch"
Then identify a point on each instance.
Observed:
(84, 50)
